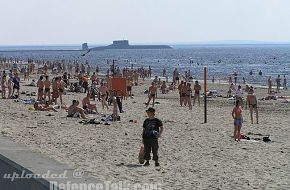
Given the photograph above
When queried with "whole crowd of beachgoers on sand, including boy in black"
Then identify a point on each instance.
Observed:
(57, 78)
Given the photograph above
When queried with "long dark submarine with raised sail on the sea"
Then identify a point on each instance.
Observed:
(124, 44)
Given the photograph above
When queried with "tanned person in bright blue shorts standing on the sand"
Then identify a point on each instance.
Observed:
(238, 120)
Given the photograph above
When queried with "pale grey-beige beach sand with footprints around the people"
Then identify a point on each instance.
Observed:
(193, 155)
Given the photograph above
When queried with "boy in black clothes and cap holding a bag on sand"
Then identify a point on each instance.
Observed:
(152, 130)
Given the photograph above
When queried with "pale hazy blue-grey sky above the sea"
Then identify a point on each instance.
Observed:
(41, 22)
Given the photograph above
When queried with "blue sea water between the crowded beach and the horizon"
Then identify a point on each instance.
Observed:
(220, 60)
